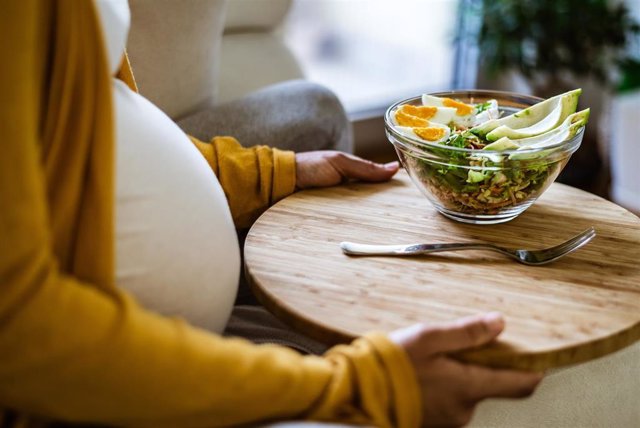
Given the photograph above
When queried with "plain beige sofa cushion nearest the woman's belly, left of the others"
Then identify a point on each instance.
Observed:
(174, 47)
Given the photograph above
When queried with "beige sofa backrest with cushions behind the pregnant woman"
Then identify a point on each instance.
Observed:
(206, 52)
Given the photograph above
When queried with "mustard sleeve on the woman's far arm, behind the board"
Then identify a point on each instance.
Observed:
(252, 178)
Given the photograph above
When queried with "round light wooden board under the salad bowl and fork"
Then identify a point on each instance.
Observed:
(581, 307)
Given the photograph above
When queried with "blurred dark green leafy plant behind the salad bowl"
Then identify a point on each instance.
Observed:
(551, 37)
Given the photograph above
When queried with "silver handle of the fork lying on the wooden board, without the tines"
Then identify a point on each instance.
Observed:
(355, 249)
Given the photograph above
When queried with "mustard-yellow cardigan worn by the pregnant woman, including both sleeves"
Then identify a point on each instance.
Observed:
(72, 345)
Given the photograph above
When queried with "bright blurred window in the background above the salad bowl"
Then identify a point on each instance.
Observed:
(374, 52)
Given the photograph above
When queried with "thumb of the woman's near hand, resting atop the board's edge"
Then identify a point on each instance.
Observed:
(459, 335)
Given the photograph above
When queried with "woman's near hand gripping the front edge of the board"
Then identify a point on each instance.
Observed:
(451, 389)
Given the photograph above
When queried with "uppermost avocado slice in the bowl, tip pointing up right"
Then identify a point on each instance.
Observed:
(534, 120)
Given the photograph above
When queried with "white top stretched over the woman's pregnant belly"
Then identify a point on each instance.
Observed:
(176, 246)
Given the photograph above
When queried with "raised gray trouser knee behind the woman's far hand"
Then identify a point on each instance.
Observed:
(295, 115)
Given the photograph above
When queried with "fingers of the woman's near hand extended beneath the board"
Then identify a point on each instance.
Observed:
(487, 383)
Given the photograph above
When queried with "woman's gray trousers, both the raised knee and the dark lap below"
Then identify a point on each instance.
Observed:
(295, 115)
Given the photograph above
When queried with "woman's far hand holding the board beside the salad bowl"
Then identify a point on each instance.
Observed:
(328, 168)
